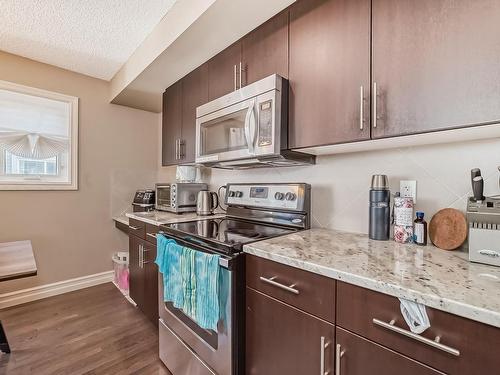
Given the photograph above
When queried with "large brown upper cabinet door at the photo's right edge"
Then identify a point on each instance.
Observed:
(435, 64)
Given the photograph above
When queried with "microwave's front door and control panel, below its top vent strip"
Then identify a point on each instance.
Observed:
(243, 130)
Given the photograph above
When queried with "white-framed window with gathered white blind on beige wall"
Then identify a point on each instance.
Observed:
(38, 139)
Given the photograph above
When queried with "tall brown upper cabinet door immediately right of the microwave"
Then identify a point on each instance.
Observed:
(329, 72)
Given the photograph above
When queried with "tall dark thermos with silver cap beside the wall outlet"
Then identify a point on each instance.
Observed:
(380, 208)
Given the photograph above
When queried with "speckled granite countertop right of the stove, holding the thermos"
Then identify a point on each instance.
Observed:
(437, 278)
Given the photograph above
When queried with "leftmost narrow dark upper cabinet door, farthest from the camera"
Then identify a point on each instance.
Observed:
(171, 124)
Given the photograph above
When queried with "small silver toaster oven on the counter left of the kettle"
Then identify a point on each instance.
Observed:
(178, 197)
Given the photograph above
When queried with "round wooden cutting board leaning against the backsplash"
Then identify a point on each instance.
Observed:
(448, 229)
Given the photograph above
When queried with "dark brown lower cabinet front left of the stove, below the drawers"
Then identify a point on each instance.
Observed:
(143, 279)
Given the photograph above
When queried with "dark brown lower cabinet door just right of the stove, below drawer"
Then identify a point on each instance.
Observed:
(281, 339)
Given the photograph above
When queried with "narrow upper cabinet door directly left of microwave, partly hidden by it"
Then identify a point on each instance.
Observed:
(194, 94)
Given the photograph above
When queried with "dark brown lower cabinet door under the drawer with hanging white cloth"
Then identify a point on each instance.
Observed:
(358, 356)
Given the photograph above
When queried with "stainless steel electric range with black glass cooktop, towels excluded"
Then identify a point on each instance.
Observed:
(255, 212)
